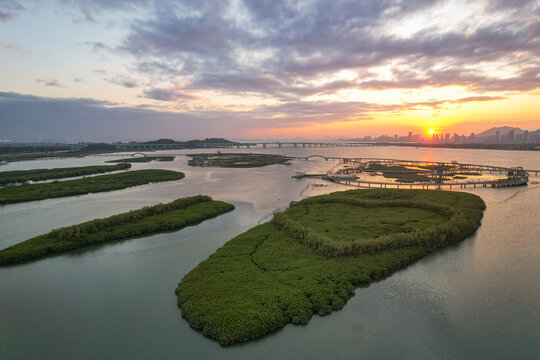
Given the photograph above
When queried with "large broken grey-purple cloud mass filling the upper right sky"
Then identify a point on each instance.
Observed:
(283, 49)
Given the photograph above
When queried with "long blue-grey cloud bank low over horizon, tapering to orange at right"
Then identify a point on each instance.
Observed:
(31, 118)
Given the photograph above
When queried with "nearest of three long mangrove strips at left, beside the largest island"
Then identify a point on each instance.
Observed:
(148, 220)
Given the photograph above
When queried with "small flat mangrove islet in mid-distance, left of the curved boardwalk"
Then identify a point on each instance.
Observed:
(236, 160)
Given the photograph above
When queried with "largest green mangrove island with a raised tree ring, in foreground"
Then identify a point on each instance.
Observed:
(310, 258)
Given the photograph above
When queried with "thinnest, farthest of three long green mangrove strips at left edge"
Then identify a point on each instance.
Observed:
(18, 176)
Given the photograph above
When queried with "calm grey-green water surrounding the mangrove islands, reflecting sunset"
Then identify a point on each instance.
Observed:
(479, 299)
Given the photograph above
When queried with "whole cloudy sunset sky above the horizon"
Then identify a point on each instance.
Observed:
(119, 70)
